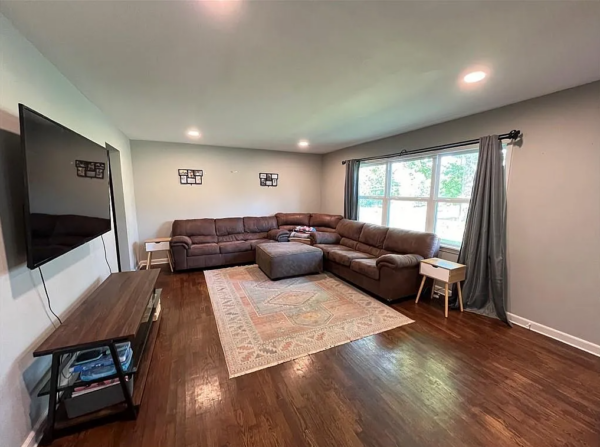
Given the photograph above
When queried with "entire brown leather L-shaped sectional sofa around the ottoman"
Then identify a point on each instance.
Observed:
(381, 260)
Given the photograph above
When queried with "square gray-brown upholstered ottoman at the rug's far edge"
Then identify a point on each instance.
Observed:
(286, 259)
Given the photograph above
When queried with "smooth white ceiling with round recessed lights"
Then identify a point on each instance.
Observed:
(264, 74)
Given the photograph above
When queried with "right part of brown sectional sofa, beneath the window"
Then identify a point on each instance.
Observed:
(382, 260)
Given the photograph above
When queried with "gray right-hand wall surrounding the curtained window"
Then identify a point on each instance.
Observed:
(553, 201)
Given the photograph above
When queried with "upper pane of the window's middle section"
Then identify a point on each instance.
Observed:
(412, 178)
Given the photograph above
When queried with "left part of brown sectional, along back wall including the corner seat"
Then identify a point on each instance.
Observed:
(202, 243)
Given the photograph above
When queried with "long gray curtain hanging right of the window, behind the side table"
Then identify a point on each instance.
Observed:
(484, 243)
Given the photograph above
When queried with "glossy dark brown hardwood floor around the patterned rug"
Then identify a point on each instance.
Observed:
(462, 381)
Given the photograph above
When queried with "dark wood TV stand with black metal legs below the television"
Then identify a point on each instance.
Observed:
(120, 309)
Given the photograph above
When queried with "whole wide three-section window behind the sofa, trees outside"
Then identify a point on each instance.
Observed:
(430, 193)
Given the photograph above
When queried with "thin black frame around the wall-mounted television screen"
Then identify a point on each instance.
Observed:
(26, 206)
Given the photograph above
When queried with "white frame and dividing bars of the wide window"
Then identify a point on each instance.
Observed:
(433, 199)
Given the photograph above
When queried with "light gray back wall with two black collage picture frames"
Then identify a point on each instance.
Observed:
(160, 198)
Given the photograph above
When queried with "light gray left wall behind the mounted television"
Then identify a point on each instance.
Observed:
(27, 77)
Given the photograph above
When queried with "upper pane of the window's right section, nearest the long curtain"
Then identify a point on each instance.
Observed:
(457, 172)
